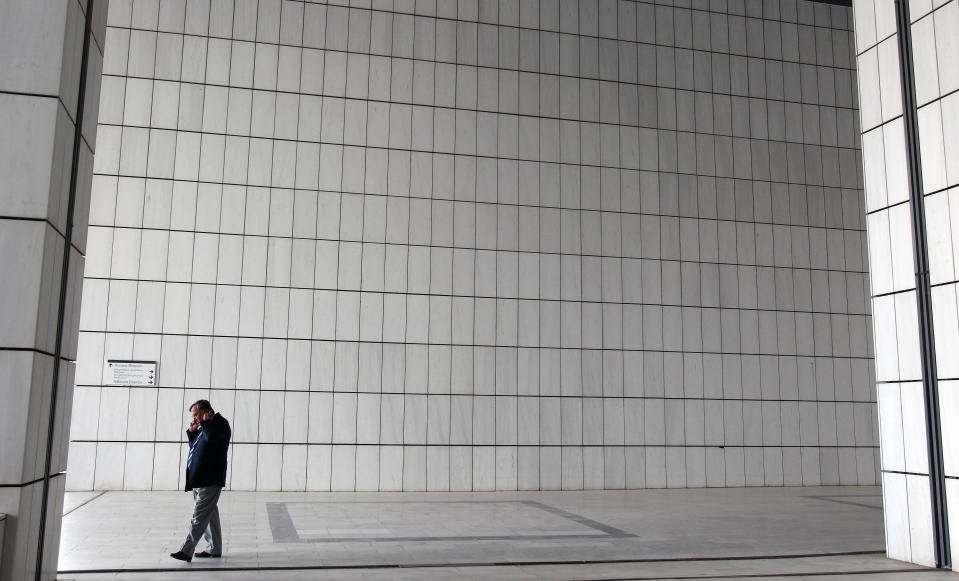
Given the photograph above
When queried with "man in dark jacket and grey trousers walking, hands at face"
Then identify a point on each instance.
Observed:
(209, 435)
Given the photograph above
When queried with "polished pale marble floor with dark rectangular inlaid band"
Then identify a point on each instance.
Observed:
(752, 533)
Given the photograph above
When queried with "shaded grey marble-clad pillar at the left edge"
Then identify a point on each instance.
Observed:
(41, 47)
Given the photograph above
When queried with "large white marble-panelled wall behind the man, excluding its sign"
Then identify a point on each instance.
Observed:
(481, 245)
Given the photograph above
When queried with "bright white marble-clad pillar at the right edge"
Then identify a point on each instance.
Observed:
(905, 468)
